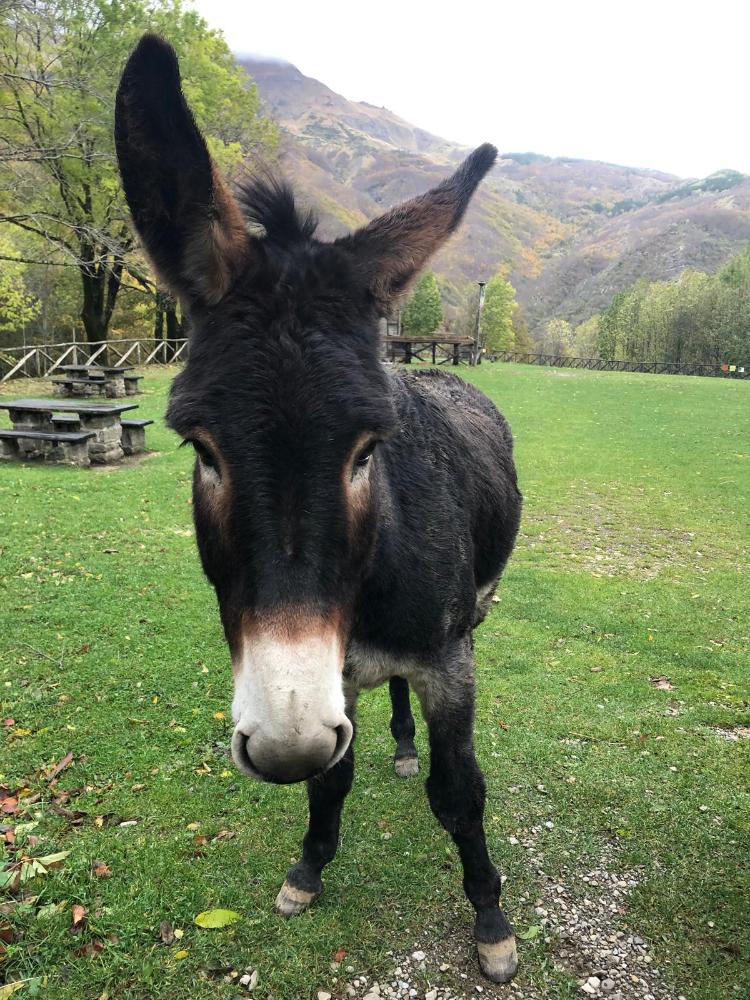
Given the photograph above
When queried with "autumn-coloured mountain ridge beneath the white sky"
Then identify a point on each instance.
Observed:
(568, 232)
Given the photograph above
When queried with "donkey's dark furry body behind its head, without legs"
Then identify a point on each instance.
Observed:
(451, 514)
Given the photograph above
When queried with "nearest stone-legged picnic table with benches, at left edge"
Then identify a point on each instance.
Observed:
(104, 420)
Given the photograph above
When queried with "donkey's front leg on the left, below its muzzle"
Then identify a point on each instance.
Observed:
(325, 795)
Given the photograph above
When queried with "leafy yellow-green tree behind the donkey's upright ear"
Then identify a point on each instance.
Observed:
(59, 66)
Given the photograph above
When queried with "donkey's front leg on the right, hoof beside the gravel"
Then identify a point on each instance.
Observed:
(457, 793)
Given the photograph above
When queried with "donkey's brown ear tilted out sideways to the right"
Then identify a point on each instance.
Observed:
(395, 246)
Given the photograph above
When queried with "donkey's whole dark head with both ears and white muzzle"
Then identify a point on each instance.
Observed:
(284, 401)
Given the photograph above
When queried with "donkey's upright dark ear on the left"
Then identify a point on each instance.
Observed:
(189, 223)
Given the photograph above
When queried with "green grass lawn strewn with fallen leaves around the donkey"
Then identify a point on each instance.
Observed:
(632, 565)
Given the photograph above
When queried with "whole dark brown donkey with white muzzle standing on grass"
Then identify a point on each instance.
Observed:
(353, 520)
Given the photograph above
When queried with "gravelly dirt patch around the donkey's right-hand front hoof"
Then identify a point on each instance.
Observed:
(586, 937)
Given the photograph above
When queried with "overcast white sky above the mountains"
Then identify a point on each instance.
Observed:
(660, 84)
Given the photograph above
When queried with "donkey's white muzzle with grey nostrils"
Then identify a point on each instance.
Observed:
(288, 707)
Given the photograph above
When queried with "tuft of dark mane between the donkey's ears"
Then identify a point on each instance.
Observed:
(268, 200)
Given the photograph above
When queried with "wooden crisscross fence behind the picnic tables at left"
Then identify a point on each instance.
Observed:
(42, 359)
